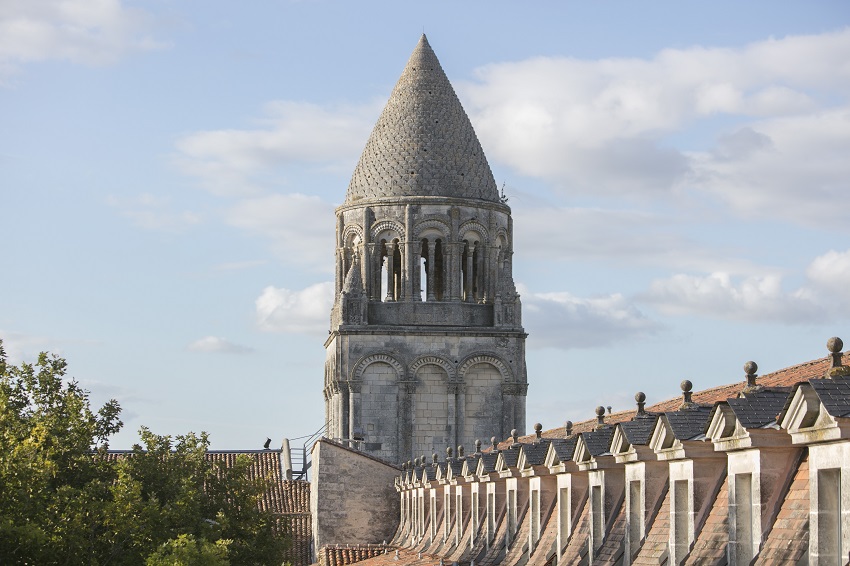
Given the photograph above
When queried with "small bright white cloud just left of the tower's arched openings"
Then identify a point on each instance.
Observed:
(297, 312)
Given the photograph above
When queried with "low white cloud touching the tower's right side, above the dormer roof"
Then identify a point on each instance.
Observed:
(561, 320)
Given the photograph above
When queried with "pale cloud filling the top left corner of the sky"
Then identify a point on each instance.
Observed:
(91, 32)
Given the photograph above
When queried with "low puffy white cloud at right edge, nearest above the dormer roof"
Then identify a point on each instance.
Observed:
(822, 297)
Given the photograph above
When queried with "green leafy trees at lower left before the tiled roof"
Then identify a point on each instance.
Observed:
(64, 499)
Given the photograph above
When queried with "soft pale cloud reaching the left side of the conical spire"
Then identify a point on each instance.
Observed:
(248, 161)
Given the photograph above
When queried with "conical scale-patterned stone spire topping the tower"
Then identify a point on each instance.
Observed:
(423, 143)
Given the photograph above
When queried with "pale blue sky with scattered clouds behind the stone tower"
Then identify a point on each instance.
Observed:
(168, 171)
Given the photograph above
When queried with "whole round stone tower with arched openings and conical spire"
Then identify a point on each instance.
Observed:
(426, 348)
